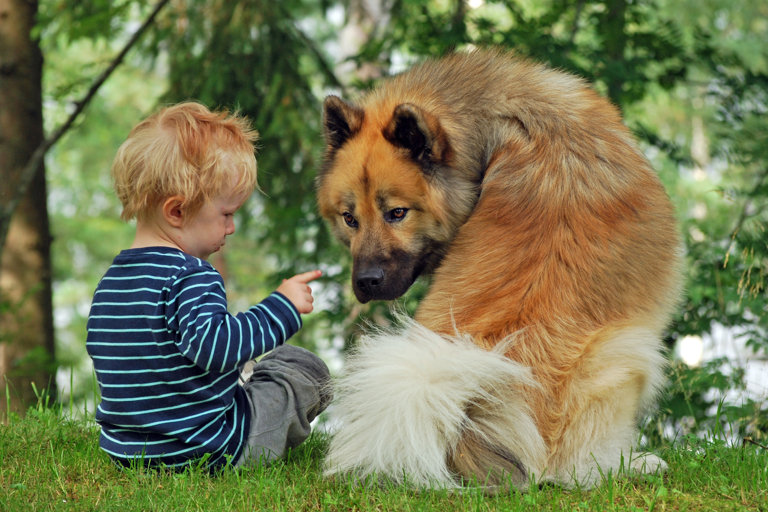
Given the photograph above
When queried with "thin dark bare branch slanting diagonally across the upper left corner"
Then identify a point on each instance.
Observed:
(36, 160)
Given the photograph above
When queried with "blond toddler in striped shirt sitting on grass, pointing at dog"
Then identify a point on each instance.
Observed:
(167, 353)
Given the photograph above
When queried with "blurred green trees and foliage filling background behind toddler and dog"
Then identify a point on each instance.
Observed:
(691, 77)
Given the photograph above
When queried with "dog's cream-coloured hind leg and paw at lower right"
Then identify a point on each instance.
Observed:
(618, 381)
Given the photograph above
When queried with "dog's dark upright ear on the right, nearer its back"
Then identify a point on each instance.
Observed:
(419, 132)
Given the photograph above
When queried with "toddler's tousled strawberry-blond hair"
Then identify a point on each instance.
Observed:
(184, 150)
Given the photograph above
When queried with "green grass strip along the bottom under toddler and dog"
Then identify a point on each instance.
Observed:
(50, 463)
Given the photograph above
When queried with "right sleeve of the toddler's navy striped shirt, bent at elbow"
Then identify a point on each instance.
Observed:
(195, 307)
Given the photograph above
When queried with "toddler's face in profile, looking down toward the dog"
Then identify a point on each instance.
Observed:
(205, 232)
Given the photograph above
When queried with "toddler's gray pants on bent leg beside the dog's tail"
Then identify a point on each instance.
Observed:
(289, 387)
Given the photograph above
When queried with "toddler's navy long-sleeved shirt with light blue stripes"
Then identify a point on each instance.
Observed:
(167, 356)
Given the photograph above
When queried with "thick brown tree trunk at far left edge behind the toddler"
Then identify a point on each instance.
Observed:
(26, 312)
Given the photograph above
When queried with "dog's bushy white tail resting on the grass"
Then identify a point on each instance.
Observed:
(429, 410)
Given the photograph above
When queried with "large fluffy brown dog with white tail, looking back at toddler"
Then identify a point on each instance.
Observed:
(556, 268)
